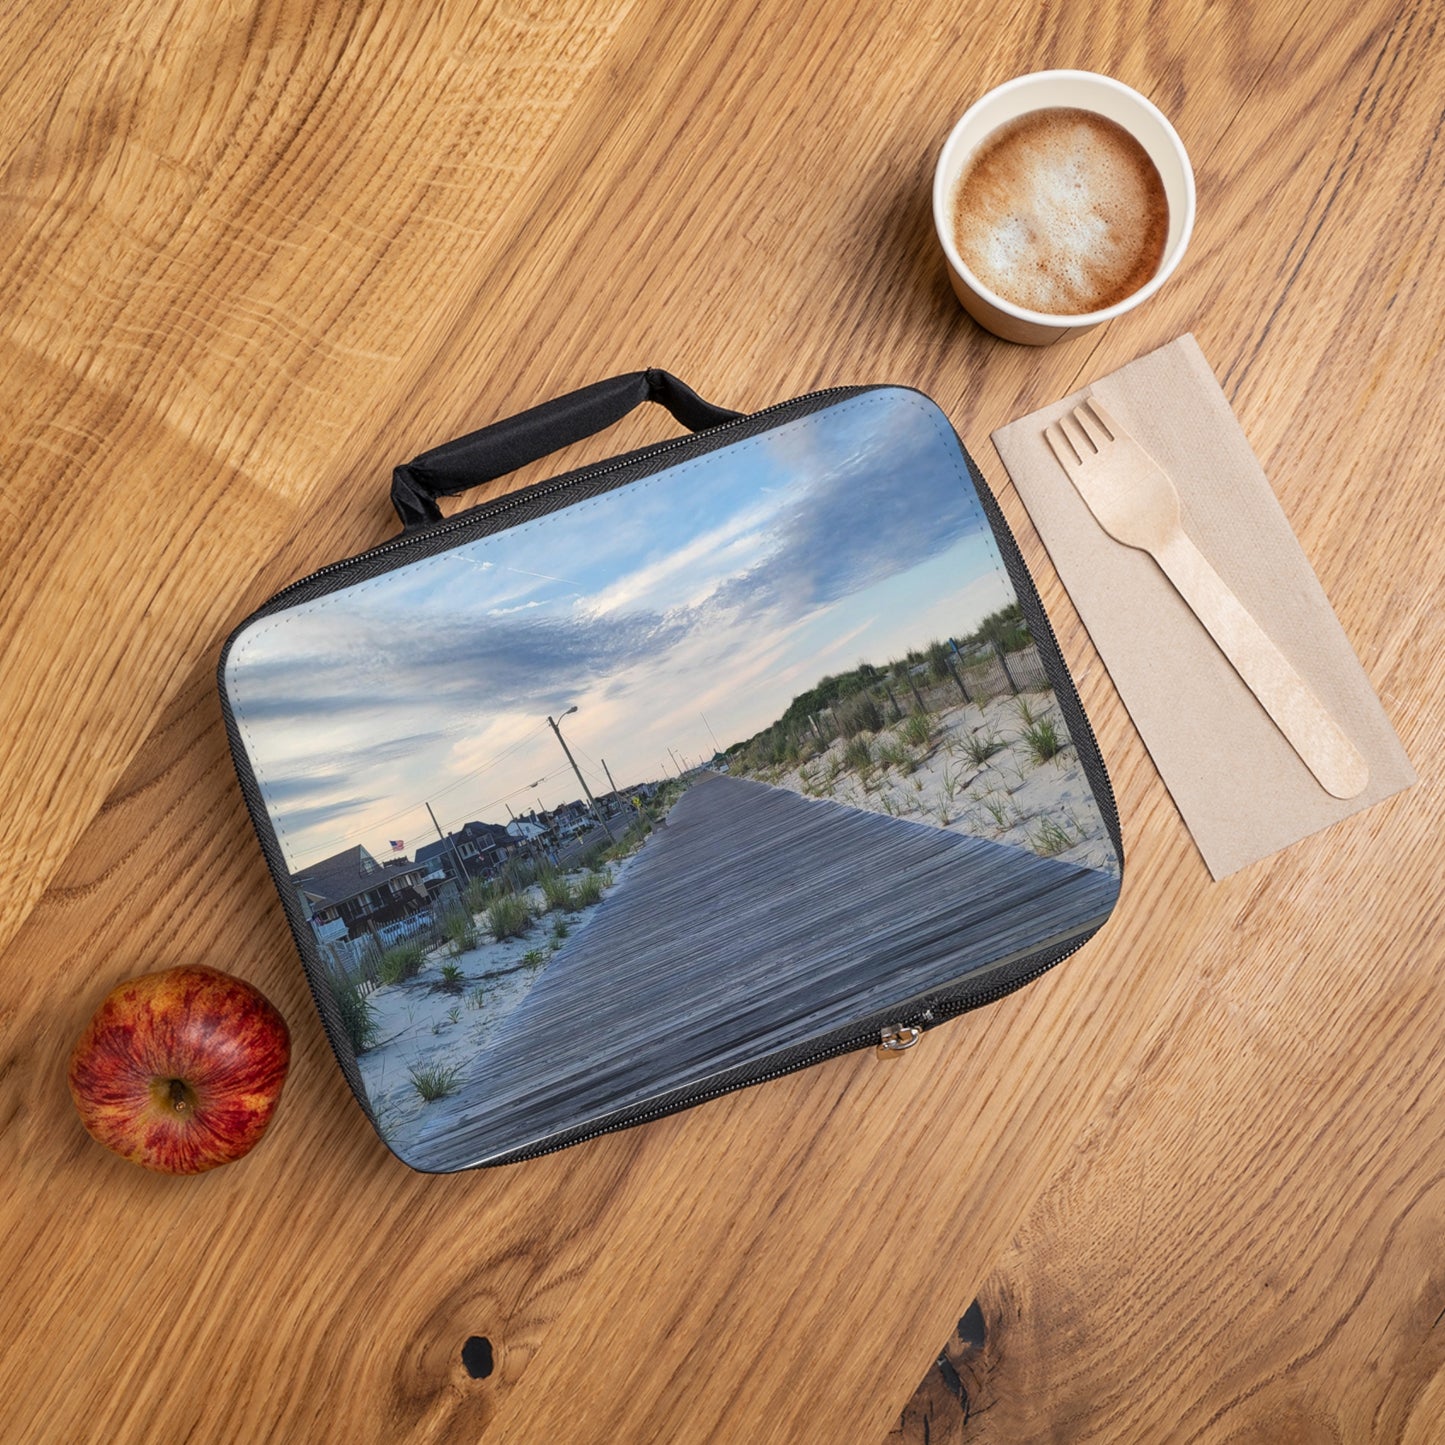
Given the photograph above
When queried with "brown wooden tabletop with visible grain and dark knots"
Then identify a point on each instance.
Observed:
(256, 252)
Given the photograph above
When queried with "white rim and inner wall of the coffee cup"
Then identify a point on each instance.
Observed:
(944, 186)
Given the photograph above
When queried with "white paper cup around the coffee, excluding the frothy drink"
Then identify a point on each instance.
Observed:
(1077, 90)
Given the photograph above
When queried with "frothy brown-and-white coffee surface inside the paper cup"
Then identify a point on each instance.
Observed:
(1061, 212)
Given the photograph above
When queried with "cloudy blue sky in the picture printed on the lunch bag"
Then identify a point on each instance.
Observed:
(689, 608)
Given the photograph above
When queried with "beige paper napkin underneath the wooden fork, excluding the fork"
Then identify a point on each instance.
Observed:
(1242, 790)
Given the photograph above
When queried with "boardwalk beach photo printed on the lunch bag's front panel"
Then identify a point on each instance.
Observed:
(670, 780)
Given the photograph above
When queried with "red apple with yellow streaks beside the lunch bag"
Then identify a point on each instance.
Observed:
(181, 1071)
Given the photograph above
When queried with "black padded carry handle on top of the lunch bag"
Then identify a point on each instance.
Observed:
(530, 436)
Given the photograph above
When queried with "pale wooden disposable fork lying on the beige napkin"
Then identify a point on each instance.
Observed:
(1135, 502)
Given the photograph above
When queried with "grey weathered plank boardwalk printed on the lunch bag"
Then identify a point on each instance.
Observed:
(752, 921)
